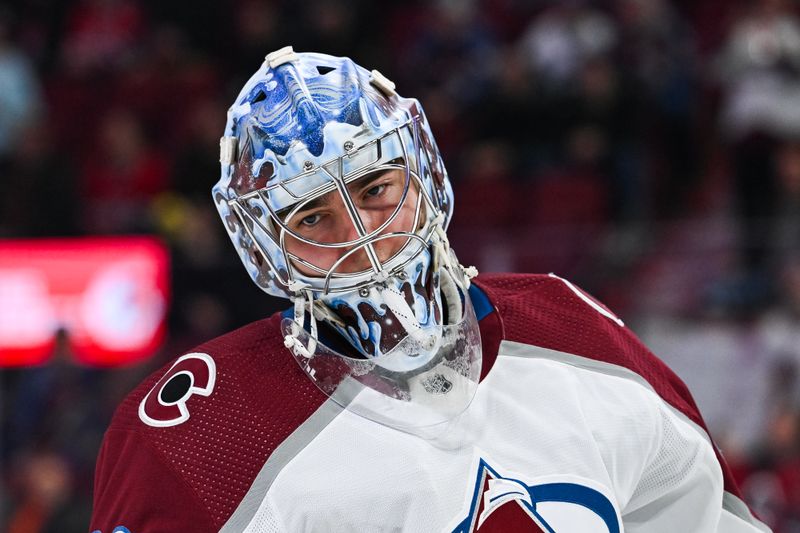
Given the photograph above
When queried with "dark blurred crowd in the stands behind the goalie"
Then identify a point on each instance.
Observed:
(649, 150)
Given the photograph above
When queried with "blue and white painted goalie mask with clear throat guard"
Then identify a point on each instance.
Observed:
(335, 196)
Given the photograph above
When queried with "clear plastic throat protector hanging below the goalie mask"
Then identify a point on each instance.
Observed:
(419, 386)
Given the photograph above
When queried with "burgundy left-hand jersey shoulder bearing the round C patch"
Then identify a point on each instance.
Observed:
(209, 419)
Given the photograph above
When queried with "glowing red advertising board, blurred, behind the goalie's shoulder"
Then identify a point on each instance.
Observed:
(108, 294)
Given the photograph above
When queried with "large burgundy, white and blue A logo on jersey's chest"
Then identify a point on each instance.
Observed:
(559, 504)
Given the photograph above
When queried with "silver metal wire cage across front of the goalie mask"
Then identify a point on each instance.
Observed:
(267, 215)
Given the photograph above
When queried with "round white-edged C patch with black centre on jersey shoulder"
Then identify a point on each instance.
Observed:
(165, 404)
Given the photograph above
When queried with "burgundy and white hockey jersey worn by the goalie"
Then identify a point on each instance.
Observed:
(575, 426)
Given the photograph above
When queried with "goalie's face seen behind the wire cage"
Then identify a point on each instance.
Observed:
(326, 233)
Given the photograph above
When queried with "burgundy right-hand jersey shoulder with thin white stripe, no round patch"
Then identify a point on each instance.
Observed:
(550, 312)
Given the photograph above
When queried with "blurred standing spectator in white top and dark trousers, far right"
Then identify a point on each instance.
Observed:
(760, 72)
